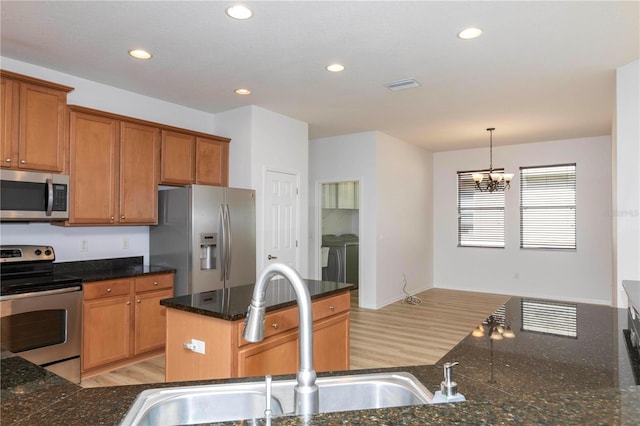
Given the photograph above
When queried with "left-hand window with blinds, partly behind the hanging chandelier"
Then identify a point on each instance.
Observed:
(480, 214)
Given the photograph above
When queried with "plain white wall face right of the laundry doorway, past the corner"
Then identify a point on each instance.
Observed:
(405, 232)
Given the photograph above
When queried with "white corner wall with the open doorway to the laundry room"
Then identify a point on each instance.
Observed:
(395, 208)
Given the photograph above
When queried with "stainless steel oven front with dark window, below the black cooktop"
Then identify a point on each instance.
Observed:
(45, 328)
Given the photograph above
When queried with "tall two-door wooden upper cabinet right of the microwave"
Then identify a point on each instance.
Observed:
(114, 167)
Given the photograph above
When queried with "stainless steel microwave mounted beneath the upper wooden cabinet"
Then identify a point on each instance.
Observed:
(33, 196)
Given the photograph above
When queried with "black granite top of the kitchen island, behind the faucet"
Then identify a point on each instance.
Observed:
(231, 303)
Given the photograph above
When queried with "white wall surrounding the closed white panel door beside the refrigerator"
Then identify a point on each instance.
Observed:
(263, 140)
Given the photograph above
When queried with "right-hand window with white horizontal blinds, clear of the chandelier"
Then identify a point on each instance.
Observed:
(548, 207)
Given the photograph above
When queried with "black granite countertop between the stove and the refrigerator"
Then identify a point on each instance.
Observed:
(109, 269)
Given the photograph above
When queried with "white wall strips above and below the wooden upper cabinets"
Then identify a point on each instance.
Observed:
(104, 242)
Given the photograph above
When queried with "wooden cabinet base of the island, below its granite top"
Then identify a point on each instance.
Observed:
(227, 354)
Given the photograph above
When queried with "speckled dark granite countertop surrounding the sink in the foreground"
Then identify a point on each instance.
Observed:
(534, 378)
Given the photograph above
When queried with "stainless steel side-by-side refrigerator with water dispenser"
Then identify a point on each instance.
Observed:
(208, 234)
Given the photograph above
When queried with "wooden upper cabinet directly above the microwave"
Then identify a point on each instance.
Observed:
(33, 123)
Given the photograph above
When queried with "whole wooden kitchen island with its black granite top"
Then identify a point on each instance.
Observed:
(204, 332)
